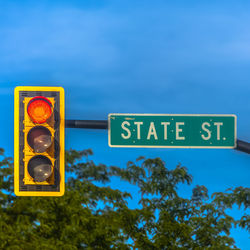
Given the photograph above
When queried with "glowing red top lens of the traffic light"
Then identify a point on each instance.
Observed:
(39, 109)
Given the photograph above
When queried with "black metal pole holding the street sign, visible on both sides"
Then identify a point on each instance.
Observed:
(103, 124)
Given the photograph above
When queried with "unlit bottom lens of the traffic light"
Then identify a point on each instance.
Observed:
(40, 168)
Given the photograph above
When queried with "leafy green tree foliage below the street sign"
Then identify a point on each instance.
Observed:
(92, 215)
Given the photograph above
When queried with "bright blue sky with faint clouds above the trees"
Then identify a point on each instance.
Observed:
(135, 57)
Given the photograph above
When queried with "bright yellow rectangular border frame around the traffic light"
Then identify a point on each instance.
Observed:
(16, 143)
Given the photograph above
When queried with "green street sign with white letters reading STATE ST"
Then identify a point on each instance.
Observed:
(172, 131)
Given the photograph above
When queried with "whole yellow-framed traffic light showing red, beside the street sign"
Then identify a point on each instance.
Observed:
(39, 141)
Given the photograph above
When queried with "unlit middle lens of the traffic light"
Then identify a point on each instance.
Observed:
(39, 138)
